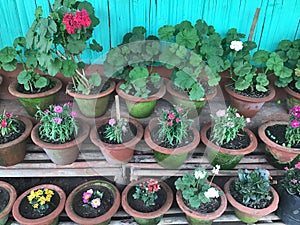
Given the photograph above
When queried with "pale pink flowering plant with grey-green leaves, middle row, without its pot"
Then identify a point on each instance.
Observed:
(227, 125)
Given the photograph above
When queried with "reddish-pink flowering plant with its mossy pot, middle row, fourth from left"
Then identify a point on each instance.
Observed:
(171, 137)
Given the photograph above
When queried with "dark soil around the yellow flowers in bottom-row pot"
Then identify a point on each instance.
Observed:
(27, 211)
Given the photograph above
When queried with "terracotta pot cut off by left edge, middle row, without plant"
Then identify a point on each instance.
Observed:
(14, 151)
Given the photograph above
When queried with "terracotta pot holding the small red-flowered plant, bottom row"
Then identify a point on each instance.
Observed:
(149, 218)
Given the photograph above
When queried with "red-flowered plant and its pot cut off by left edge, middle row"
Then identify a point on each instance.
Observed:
(14, 131)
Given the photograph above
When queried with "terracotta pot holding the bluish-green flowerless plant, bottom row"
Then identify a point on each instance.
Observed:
(247, 214)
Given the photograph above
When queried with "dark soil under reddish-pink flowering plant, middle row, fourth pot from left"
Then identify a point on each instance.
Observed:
(162, 143)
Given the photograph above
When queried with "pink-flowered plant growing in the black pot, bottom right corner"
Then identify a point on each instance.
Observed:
(291, 180)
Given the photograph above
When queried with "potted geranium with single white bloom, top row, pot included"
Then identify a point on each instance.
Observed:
(248, 89)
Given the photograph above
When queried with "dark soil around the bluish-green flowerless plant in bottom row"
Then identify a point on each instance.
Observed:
(263, 203)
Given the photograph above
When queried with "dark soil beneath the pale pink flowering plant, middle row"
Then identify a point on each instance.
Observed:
(242, 140)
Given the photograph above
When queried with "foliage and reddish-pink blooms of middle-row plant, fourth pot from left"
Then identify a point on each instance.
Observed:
(174, 125)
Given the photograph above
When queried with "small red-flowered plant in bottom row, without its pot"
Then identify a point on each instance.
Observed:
(147, 192)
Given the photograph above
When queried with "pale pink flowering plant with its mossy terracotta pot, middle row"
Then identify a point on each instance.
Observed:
(227, 139)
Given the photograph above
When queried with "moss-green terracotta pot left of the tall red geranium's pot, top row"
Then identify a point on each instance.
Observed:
(31, 101)
